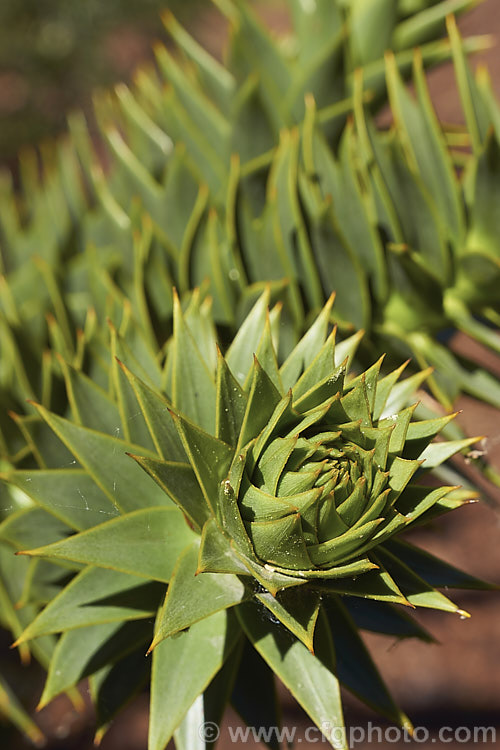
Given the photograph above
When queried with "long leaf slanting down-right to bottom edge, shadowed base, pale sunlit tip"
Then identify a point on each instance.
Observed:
(311, 679)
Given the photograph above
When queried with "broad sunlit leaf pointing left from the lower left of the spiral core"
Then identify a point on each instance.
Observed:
(145, 543)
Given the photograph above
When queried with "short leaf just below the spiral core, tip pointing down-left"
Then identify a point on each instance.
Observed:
(194, 596)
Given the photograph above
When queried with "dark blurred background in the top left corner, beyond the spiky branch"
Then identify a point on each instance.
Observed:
(53, 53)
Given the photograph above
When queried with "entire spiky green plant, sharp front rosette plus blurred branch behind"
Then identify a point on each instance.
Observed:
(297, 475)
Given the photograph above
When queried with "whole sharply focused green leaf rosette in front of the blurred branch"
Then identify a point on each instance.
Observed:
(280, 487)
